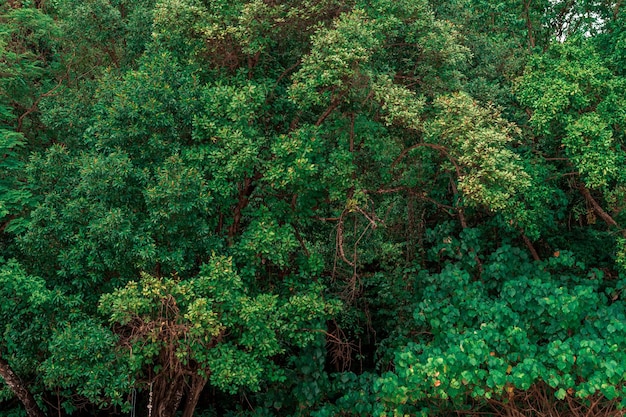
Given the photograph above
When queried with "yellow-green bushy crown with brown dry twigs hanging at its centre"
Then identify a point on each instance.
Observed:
(213, 322)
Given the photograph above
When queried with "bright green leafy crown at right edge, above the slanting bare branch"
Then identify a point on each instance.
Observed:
(575, 96)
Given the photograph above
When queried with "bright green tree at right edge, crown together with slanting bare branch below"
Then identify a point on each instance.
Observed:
(574, 98)
